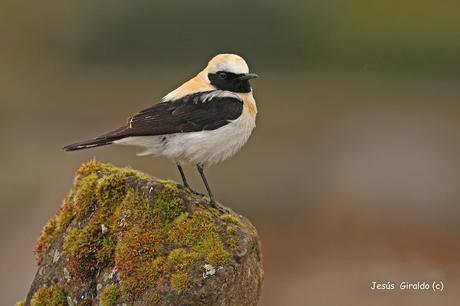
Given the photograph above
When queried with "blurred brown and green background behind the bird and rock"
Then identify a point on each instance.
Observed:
(352, 174)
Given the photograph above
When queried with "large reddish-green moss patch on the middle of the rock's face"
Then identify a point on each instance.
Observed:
(147, 229)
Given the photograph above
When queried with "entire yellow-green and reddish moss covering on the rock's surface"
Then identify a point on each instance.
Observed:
(149, 240)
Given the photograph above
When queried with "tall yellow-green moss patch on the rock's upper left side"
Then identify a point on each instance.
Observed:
(94, 245)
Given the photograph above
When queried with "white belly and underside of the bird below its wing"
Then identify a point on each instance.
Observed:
(203, 147)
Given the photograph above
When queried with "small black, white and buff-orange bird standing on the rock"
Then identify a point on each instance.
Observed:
(203, 122)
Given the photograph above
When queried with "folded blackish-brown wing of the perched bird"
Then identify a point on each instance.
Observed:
(196, 112)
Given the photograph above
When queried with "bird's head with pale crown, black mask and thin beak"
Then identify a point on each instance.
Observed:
(229, 72)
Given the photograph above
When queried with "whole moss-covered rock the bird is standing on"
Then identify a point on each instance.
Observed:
(122, 237)
